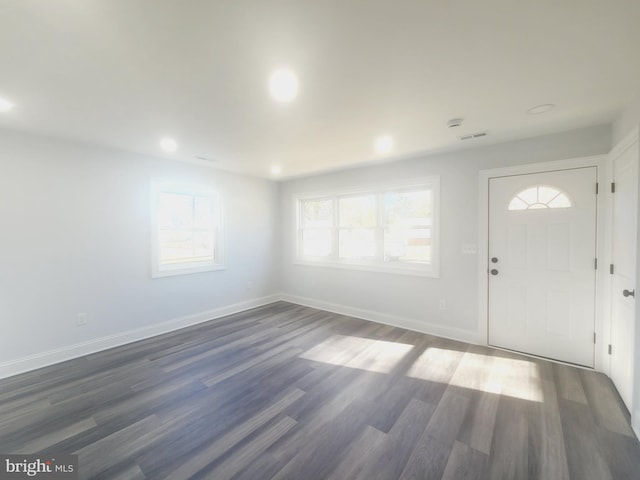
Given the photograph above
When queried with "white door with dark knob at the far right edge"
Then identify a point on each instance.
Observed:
(623, 238)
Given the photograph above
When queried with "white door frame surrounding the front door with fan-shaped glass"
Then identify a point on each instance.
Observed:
(600, 162)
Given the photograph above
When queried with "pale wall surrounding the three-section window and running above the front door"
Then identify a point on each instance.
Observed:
(414, 301)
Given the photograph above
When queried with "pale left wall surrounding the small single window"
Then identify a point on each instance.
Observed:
(75, 238)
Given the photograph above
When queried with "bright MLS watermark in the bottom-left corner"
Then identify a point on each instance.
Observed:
(53, 467)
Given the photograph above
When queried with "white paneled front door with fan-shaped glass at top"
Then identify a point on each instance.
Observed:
(542, 253)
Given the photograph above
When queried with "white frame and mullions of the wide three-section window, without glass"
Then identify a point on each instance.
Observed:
(377, 264)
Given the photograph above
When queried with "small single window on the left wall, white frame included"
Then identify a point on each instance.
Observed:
(186, 229)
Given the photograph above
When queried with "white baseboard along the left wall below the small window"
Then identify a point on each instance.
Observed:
(32, 362)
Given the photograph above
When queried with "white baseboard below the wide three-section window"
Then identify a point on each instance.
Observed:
(395, 321)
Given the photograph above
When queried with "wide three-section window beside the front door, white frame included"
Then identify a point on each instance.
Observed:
(392, 228)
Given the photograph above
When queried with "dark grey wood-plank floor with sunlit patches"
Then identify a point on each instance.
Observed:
(289, 392)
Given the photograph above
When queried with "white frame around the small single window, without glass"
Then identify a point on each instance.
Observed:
(158, 187)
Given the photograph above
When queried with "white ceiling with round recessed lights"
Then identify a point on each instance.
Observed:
(125, 73)
